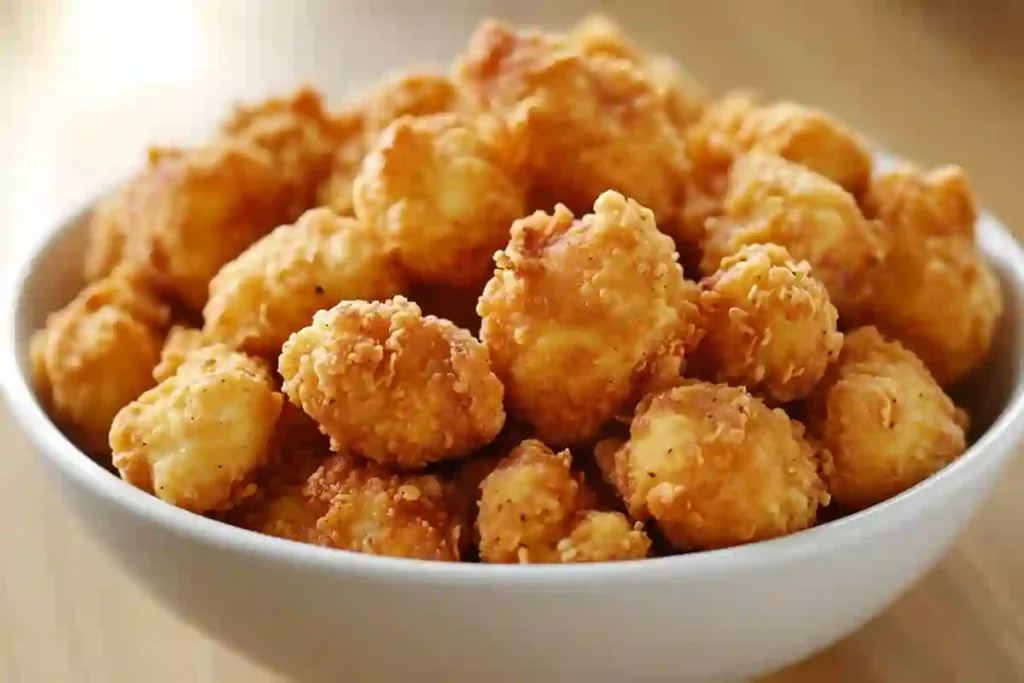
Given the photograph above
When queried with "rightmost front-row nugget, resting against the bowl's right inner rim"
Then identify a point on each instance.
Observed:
(885, 421)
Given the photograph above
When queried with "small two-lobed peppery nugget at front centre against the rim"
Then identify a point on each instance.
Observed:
(534, 509)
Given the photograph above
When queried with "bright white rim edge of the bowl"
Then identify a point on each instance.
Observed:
(995, 240)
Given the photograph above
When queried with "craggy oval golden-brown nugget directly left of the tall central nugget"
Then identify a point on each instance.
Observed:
(393, 386)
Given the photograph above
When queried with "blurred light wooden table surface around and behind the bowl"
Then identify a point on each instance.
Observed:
(87, 86)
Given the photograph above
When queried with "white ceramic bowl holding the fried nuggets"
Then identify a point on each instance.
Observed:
(315, 614)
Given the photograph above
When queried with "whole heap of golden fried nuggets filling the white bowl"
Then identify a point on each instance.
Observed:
(450, 321)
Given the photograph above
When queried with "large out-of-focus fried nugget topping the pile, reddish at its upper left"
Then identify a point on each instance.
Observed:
(589, 123)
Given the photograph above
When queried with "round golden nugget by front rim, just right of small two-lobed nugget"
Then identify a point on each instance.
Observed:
(716, 467)
